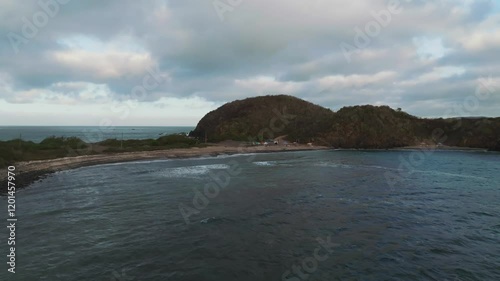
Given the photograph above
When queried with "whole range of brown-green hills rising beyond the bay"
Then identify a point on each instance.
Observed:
(364, 127)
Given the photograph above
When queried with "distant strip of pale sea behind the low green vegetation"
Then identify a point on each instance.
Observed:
(87, 133)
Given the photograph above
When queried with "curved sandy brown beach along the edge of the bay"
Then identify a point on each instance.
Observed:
(32, 171)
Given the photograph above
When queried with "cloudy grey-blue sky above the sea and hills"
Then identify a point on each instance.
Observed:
(167, 63)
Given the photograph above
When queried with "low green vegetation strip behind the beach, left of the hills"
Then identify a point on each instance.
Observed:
(57, 147)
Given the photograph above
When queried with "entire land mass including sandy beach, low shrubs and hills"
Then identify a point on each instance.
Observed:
(243, 126)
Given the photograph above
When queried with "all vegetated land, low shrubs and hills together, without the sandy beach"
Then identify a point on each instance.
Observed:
(260, 118)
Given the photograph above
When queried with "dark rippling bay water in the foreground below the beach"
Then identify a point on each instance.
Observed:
(439, 220)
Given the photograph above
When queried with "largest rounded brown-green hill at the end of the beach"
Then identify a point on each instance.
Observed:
(264, 118)
